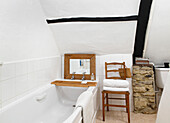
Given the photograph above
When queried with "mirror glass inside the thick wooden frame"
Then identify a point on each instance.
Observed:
(80, 66)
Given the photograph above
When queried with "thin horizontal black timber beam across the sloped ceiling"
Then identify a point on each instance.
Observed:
(93, 19)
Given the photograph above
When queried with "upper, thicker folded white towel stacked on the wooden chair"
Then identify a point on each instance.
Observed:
(115, 83)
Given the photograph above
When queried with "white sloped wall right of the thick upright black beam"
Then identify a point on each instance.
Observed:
(158, 34)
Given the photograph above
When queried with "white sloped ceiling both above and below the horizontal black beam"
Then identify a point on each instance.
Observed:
(93, 37)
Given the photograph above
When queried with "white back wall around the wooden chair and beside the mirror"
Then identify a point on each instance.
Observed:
(100, 72)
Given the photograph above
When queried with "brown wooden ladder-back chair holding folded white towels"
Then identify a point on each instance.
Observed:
(115, 91)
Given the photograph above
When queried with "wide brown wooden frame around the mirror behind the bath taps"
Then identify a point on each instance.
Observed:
(67, 58)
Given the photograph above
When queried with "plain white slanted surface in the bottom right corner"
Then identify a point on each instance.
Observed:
(164, 107)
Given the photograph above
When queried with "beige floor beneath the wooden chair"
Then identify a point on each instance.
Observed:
(121, 117)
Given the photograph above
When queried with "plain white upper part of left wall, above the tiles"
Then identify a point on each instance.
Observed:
(24, 33)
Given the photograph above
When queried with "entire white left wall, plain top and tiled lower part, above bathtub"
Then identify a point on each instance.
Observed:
(27, 49)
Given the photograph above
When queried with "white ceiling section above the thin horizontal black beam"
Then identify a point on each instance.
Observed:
(79, 8)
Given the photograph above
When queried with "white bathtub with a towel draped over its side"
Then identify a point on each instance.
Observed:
(49, 104)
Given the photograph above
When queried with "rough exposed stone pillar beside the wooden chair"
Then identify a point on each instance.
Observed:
(143, 89)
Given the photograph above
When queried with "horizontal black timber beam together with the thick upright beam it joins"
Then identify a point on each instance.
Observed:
(142, 23)
